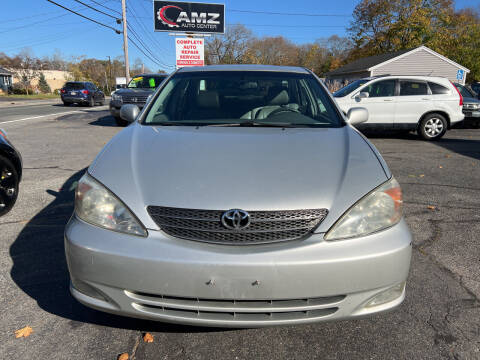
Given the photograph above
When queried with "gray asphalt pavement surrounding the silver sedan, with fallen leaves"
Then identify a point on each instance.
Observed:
(440, 318)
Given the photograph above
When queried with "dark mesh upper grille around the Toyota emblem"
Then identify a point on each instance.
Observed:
(265, 226)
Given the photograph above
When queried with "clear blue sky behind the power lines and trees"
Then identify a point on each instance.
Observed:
(45, 28)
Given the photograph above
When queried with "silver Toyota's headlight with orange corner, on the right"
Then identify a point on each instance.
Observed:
(376, 211)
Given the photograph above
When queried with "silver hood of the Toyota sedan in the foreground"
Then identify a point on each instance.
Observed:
(251, 168)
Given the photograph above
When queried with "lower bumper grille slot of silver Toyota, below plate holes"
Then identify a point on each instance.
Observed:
(236, 310)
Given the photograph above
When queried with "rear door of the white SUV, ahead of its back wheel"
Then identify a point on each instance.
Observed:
(414, 99)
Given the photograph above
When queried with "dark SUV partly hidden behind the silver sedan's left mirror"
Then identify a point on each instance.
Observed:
(137, 92)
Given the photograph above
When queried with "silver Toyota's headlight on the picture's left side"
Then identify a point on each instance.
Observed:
(98, 206)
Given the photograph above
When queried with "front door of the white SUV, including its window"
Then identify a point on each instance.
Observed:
(380, 103)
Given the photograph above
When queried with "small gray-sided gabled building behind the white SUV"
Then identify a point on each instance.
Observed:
(418, 61)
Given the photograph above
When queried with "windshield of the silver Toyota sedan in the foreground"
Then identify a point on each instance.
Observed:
(248, 98)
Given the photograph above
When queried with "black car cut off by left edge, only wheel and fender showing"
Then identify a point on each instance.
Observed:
(10, 174)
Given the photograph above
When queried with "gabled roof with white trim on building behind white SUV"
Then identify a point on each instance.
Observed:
(371, 62)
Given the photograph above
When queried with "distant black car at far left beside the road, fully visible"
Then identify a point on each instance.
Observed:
(81, 92)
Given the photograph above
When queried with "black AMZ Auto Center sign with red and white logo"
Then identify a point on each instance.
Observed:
(174, 16)
